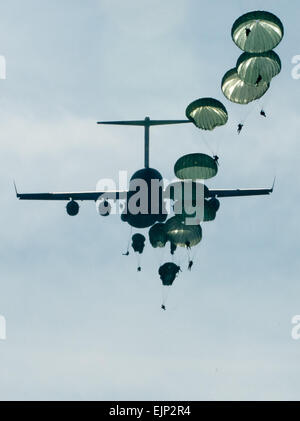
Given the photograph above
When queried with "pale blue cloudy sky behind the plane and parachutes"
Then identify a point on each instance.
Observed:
(81, 322)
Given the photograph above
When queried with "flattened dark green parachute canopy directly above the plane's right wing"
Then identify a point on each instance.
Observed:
(195, 166)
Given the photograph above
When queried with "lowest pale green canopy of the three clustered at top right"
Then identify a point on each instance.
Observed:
(240, 92)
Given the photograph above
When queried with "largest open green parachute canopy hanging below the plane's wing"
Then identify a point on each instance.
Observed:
(181, 234)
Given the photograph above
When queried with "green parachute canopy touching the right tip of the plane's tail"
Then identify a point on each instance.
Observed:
(207, 113)
